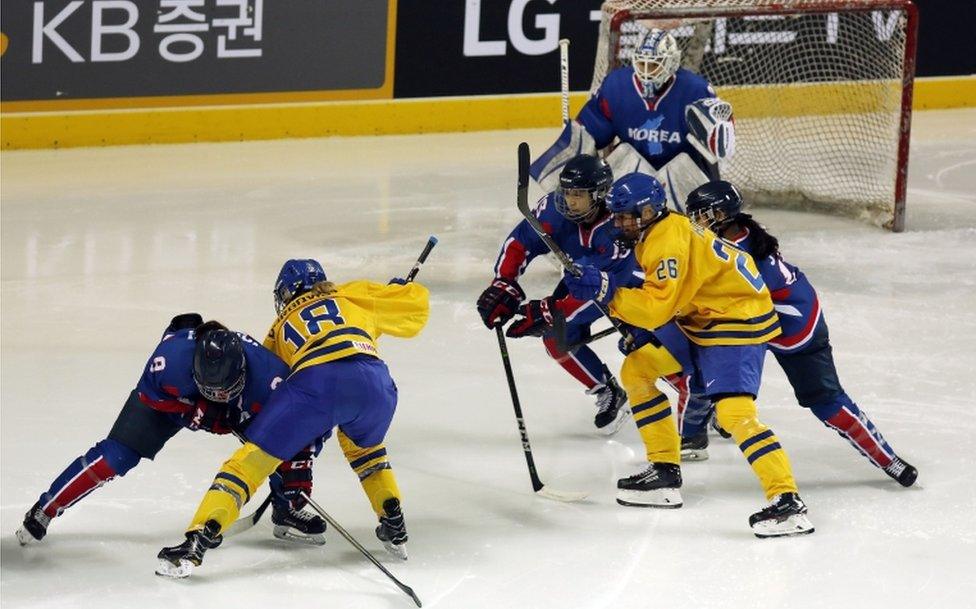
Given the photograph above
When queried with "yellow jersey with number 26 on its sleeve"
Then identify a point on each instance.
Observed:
(712, 288)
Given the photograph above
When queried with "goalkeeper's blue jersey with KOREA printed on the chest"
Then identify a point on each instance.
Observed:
(655, 127)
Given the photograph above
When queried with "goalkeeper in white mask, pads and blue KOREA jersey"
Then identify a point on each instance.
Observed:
(667, 120)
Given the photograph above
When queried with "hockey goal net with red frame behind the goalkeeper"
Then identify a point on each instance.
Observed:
(821, 92)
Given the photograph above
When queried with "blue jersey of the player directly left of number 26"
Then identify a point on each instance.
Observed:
(591, 244)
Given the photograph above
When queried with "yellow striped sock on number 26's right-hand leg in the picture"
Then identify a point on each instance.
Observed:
(758, 443)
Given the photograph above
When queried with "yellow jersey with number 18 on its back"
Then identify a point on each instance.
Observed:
(315, 328)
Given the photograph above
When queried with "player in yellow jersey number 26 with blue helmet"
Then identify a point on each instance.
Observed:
(718, 299)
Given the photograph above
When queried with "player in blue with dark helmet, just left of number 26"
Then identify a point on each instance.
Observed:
(576, 216)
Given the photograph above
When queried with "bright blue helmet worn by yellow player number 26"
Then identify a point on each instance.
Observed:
(637, 201)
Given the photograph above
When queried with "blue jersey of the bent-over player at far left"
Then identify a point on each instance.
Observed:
(167, 381)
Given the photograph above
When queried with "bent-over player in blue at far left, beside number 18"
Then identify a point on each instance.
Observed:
(201, 376)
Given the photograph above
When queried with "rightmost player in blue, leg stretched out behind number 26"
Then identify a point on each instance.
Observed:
(803, 350)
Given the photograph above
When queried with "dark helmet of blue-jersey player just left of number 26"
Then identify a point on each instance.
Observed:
(585, 179)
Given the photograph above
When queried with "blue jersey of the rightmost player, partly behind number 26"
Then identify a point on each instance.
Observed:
(794, 298)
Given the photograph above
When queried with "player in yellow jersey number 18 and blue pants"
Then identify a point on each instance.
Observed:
(327, 334)
